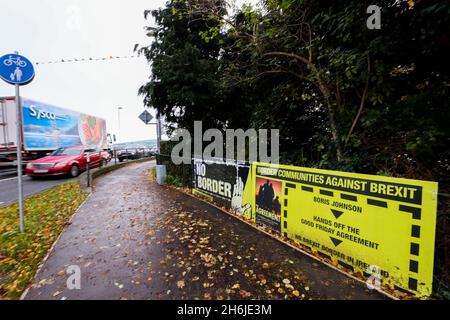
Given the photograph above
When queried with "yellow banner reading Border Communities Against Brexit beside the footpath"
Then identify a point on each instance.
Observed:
(379, 226)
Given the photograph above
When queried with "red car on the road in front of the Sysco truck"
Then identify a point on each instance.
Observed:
(66, 161)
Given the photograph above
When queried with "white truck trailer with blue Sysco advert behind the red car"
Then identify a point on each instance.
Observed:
(46, 128)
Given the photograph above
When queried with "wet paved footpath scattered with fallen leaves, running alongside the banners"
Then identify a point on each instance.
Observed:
(133, 239)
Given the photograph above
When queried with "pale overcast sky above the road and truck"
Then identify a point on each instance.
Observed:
(48, 30)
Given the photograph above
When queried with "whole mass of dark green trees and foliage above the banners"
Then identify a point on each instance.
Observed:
(344, 97)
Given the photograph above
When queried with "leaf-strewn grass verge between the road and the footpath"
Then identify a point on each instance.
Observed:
(46, 215)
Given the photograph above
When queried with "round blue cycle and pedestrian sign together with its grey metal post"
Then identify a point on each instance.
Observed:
(17, 70)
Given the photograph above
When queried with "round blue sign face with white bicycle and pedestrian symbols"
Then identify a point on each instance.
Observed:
(16, 69)
